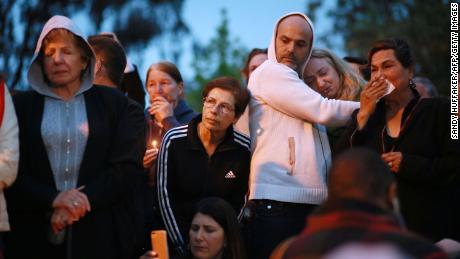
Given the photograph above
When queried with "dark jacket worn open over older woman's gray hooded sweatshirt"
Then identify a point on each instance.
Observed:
(111, 171)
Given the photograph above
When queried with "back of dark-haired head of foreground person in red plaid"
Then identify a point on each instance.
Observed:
(361, 174)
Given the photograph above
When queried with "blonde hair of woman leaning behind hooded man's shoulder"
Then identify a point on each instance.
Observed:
(351, 83)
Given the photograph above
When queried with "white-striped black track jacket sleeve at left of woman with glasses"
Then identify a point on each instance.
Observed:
(163, 196)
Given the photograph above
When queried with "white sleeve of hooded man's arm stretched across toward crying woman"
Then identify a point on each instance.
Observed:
(282, 89)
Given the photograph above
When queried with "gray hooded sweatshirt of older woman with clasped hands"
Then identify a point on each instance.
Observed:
(64, 127)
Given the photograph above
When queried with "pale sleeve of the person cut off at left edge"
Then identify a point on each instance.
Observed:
(9, 143)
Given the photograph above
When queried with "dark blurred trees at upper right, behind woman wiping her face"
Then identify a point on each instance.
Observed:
(423, 24)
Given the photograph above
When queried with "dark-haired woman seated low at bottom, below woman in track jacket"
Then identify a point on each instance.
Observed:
(214, 232)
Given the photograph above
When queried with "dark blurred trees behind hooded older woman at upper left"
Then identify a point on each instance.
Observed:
(135, 23)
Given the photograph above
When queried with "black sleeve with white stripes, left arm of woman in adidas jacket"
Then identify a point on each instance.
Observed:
(165, 201)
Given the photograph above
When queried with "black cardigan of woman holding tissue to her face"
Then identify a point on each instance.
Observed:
(428, 179)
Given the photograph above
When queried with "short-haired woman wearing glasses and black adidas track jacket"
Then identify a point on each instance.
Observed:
(204, 158)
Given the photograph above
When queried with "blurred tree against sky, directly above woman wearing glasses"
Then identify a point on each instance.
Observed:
(222, 56)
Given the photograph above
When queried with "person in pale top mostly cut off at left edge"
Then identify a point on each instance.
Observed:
(9, 154)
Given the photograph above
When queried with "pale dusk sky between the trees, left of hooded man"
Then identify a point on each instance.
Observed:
(251, 21)
